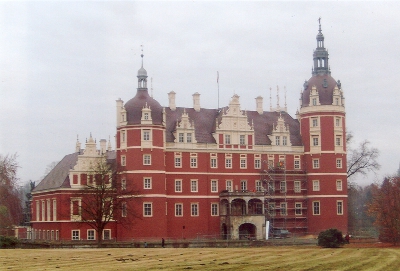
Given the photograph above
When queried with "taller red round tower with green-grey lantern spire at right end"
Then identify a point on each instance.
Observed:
(322, 120)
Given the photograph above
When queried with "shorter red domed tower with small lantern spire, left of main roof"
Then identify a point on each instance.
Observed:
(140, 142)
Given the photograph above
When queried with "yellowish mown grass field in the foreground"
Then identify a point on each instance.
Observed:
(261, 258)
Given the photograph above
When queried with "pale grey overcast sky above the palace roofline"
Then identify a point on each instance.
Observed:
(63, 65)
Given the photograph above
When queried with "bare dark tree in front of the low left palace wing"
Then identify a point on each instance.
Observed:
(104, 199)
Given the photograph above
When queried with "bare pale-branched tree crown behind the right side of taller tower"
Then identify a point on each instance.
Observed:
(363, 159)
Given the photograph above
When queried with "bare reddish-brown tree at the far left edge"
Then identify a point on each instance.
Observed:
(10, 200)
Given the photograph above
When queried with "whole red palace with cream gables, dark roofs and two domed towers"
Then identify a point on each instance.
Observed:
(219, 173)
